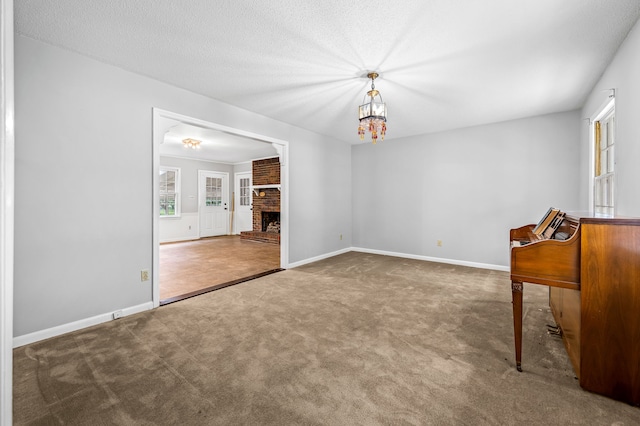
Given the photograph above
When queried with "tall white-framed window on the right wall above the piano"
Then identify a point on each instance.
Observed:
(604, 173)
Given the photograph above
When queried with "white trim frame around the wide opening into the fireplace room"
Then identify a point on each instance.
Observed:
(162, 121)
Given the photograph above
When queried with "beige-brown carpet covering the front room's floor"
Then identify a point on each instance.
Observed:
(357, 339)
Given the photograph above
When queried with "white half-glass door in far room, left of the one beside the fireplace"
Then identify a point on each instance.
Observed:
(213, 203)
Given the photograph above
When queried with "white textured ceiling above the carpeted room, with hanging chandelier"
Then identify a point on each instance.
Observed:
(444, 64)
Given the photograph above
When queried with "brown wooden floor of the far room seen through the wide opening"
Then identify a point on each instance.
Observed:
(189, 267)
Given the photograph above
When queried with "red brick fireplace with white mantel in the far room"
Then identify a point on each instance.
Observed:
(266, 202)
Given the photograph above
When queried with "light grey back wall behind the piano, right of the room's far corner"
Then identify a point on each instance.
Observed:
(465, 187)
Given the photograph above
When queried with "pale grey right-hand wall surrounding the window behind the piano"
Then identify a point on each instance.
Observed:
(623, 74)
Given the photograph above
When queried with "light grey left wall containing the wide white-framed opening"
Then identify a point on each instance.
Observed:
(84, 184)
